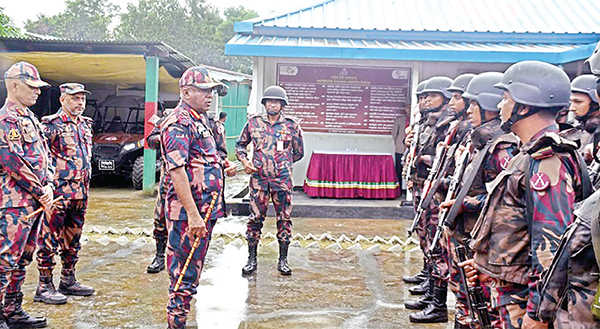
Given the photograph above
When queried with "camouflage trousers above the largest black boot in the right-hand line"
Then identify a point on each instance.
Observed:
(439, 256)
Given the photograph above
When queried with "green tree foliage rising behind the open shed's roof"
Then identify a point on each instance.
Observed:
(193, 27)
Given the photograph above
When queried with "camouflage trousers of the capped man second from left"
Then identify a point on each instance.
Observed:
(63, 229)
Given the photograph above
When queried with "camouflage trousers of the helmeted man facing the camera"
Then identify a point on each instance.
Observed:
(259, 201)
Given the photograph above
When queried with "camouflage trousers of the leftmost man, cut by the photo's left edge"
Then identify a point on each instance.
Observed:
(18, 238)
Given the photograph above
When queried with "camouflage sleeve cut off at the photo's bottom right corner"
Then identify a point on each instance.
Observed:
(570, 284)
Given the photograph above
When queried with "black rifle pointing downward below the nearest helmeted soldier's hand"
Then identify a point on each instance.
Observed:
(475, 297)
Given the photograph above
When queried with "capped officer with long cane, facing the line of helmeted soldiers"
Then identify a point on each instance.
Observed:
(195, 171)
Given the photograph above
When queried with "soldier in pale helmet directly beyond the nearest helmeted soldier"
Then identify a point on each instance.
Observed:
(484, 117)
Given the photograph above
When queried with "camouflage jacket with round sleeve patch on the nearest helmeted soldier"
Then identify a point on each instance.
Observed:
(503, 245)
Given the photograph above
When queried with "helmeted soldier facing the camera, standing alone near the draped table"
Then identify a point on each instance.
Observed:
(278, 143)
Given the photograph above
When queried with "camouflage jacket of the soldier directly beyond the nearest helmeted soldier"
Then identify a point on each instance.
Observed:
(497, 158)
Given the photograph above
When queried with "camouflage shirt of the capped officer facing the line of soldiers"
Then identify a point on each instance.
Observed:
(187, 142)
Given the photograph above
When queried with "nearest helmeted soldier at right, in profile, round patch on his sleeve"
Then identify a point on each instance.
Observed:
(530, 203)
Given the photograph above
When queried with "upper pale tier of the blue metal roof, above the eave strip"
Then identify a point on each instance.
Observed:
(533, 16)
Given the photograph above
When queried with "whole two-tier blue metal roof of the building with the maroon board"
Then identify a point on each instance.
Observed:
(427, 30)
